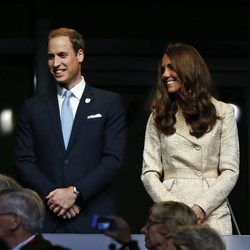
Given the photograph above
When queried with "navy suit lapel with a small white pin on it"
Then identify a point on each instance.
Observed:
(86, 102)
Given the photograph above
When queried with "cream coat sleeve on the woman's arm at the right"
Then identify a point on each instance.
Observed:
(228, 164)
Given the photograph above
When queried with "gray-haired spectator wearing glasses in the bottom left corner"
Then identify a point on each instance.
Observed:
(21, 218)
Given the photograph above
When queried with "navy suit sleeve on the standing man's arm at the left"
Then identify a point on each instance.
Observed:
(25, 157)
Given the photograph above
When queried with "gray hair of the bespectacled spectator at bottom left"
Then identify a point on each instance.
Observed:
(26, 204)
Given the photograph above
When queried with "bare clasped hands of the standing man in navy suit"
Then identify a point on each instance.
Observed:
(62, 202)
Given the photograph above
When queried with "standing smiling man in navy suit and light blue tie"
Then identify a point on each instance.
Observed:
(74, 177)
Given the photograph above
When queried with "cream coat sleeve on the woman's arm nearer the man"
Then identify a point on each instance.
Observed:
(152, 169)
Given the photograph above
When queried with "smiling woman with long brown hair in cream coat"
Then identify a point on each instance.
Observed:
(191, 151)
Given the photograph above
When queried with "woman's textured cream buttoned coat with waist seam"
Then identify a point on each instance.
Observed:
(200, 171)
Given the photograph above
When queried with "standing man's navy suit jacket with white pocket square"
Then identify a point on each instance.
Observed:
(93, 158)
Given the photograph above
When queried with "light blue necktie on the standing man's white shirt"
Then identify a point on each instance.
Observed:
(66, 117)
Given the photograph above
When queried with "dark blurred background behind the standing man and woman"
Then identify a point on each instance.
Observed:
(124, 43)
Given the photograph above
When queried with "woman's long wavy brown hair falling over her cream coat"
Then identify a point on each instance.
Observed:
(194, 98)
